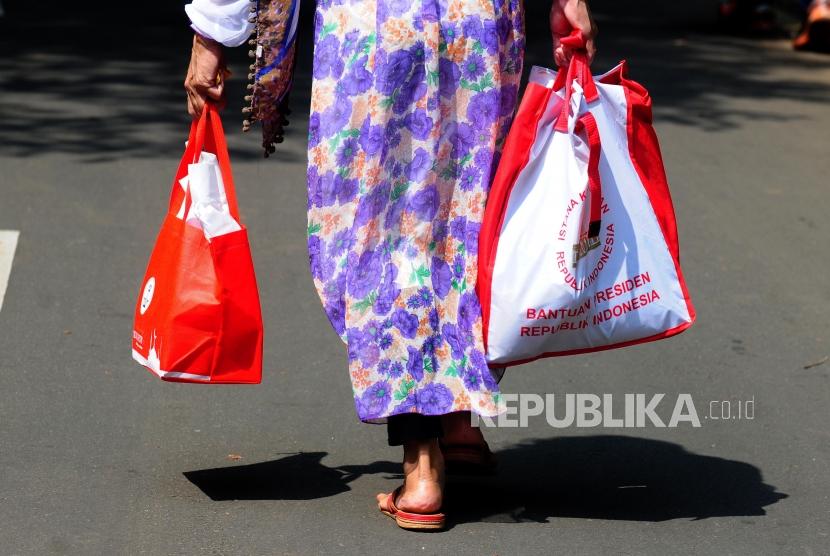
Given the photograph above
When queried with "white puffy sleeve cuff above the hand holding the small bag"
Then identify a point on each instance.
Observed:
(224, 21)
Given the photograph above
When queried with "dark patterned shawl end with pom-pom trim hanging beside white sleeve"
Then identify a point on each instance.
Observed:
(272, 72)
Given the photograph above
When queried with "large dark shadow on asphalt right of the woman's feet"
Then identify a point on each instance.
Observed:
(612, 478)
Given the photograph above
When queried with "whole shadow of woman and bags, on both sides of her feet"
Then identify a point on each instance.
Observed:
(595, 477)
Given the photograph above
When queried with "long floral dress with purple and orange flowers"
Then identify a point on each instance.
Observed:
(410, 105)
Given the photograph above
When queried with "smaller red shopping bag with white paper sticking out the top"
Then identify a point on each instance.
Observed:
(198, 318)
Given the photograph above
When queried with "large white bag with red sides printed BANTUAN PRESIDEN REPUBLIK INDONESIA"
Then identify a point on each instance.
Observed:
(578, 248)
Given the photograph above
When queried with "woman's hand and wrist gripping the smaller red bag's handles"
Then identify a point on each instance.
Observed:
(205, 76)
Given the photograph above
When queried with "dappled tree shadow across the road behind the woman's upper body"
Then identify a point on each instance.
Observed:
(92, 86)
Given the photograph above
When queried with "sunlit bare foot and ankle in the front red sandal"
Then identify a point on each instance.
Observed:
(422, 491)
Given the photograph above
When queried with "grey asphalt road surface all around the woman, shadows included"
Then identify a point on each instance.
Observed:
(99, 457)
